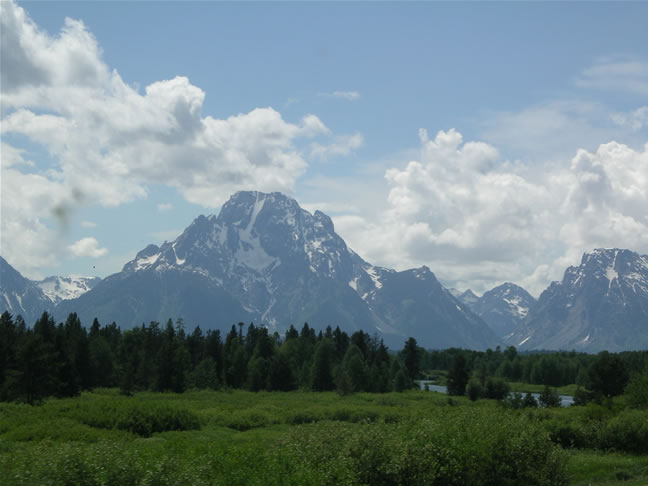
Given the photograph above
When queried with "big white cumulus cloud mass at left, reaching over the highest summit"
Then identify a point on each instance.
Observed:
(109, 141)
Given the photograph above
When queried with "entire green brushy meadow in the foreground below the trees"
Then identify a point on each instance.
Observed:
(243, 438)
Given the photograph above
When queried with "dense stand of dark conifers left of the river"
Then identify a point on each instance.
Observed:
(61, 360)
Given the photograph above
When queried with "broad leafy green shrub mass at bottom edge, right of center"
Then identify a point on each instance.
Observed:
(456, 448)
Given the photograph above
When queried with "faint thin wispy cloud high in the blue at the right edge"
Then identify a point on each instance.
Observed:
(619, 73)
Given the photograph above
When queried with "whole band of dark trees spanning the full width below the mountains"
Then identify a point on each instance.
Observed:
(49, 359)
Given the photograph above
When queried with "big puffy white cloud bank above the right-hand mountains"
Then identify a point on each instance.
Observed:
(479, 220)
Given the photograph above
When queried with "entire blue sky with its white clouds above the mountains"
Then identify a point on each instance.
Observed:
(497, 190)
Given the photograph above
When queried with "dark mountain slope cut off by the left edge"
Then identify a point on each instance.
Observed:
(21, 296)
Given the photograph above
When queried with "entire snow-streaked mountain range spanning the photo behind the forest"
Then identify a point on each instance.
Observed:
(264, 259)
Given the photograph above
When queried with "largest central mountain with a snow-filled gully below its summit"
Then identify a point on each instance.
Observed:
(265, 259)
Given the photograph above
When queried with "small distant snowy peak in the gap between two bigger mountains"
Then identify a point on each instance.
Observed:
(502, 307)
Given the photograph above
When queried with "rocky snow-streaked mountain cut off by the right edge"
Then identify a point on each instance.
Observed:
(600, 305)
